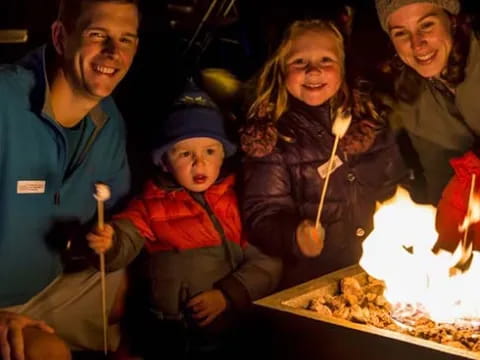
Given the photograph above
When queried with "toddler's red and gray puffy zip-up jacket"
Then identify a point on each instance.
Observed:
(193, 241)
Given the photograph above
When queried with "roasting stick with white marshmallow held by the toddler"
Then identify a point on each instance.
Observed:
(102, 194)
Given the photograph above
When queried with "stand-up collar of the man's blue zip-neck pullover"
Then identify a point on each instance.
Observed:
(36, 61)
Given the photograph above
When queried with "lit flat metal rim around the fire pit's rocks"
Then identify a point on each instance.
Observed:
(291, 301)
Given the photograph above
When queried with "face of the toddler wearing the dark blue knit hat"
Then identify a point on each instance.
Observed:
(195, 163)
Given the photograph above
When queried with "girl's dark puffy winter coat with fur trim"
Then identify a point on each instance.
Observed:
(283, 188)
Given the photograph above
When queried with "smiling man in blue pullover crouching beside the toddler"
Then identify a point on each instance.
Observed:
(60, 133)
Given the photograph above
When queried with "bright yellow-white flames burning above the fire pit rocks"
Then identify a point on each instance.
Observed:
(399, 252)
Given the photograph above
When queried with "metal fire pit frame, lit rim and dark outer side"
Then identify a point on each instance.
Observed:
(304, 334)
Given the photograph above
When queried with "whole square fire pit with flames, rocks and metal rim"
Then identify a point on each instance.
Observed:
(402, 301)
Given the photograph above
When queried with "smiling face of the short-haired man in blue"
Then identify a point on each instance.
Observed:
(99, 50)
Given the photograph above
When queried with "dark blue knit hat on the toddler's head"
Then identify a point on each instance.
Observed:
(193, 115)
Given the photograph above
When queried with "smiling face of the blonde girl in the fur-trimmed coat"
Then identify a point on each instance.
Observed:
(313, 67)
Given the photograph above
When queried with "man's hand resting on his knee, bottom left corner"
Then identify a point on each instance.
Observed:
(11, 334)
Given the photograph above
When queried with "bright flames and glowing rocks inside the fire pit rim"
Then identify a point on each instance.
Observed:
(410, 288)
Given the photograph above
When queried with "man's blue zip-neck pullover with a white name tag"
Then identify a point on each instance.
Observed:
(39, 187)
